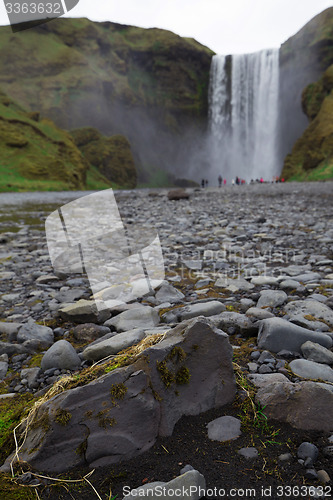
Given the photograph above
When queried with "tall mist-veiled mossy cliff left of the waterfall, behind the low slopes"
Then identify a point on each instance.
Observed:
(149, 85)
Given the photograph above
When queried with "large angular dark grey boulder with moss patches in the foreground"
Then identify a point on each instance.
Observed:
(120, 414)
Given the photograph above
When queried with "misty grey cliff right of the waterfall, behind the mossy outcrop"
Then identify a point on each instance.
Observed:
(303, 59)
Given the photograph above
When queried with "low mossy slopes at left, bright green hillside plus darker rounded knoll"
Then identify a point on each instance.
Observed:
(38, 155)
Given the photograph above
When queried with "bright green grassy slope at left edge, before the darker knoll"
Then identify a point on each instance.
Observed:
(35, 154)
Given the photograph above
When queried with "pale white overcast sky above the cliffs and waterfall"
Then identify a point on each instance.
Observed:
(226, 26)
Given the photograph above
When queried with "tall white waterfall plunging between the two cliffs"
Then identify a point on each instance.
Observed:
(243, 115)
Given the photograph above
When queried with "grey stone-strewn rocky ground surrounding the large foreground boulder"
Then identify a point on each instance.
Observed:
(257, 262)
